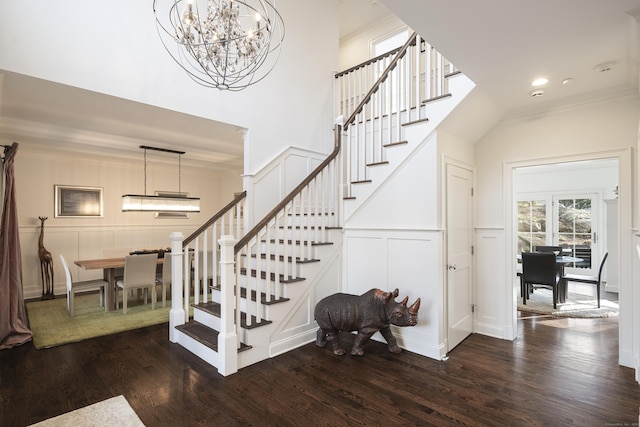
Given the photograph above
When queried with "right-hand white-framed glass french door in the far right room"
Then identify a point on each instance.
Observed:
(575, 227)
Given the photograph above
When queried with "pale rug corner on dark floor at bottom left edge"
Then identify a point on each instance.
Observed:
(111, 412)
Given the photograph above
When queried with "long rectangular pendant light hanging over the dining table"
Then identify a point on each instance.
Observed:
(144, 203)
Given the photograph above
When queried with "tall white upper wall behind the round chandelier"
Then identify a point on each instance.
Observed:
(113, 48)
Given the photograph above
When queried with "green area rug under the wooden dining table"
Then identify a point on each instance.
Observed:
(52, 325)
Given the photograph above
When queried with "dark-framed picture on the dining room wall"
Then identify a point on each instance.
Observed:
(73, 201)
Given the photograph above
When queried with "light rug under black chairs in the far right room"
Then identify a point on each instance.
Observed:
(576, 305)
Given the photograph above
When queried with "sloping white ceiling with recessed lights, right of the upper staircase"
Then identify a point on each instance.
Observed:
(503, 45)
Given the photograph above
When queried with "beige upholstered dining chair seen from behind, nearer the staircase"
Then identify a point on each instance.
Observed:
(139, 273)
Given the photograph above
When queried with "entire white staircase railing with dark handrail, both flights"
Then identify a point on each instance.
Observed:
(248, 270)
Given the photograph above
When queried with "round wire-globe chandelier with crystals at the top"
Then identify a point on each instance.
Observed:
(224, 44)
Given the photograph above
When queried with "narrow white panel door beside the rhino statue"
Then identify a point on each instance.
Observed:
(459, 246)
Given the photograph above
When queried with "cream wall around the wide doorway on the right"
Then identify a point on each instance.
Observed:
(604, 128)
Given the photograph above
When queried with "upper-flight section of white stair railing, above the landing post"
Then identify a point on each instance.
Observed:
(413, 75)
